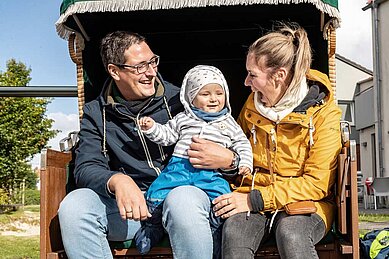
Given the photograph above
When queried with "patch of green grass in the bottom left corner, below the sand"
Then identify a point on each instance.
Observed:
(13, 247)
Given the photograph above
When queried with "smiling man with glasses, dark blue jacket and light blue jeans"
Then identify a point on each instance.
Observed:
(115, 163)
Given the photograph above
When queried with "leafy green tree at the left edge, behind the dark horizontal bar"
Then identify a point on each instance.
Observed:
(24, 128)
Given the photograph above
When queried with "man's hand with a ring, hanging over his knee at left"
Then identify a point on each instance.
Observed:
(129, 197)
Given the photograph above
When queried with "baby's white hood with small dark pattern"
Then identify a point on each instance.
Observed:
(195, 79)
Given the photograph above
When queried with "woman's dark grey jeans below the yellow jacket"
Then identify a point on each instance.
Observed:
(296, 236)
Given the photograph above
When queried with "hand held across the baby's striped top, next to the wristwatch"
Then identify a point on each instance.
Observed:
(206, 154)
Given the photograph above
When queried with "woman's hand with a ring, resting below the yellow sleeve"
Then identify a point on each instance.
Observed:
(230, 204)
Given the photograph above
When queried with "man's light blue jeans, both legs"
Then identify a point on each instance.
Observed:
(88, 221)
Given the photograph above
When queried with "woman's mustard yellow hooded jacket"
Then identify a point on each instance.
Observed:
(303, 152)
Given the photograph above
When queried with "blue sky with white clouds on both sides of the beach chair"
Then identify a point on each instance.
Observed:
(27, 34)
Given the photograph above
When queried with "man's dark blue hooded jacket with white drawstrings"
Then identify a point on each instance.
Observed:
(111, 142)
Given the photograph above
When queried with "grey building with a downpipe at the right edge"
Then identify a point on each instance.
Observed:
(372, 100)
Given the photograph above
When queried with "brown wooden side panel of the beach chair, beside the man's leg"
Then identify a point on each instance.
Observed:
(53, 190)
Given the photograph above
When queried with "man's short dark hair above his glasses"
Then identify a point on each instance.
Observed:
(114, 44)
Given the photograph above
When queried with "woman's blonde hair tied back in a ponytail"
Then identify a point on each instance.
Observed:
(286, 47)
